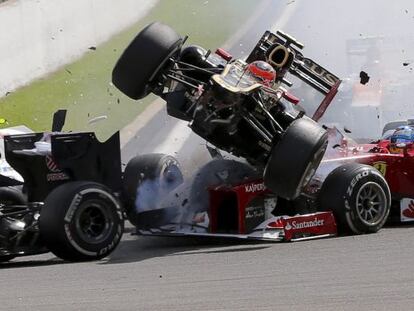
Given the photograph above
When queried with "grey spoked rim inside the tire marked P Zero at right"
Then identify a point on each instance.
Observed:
(371, 203)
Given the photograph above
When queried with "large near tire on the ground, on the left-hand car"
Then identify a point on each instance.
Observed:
(81, 221)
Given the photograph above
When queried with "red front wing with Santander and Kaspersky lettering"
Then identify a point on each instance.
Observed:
(245, 205)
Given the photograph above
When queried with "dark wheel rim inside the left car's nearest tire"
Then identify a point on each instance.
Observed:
(94, 222)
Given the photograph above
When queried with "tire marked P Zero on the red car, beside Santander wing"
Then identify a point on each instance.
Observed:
(359, 197)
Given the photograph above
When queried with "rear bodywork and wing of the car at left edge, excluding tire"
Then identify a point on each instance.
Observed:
(74, 157)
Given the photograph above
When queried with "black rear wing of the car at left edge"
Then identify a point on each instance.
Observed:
(75, 156)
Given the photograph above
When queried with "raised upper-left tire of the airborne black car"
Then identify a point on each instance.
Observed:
(136, 72)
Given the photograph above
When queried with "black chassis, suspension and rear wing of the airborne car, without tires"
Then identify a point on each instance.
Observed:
(246, 124)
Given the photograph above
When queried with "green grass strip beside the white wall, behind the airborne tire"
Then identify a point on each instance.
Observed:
(83, 87)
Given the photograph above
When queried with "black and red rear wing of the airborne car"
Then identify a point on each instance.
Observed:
(283, 53)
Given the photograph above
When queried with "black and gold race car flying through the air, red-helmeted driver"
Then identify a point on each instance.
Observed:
(238, 106)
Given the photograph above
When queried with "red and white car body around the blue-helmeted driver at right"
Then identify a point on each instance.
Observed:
(392, 156)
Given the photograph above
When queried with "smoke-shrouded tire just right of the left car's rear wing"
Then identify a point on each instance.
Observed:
(147, 179)
